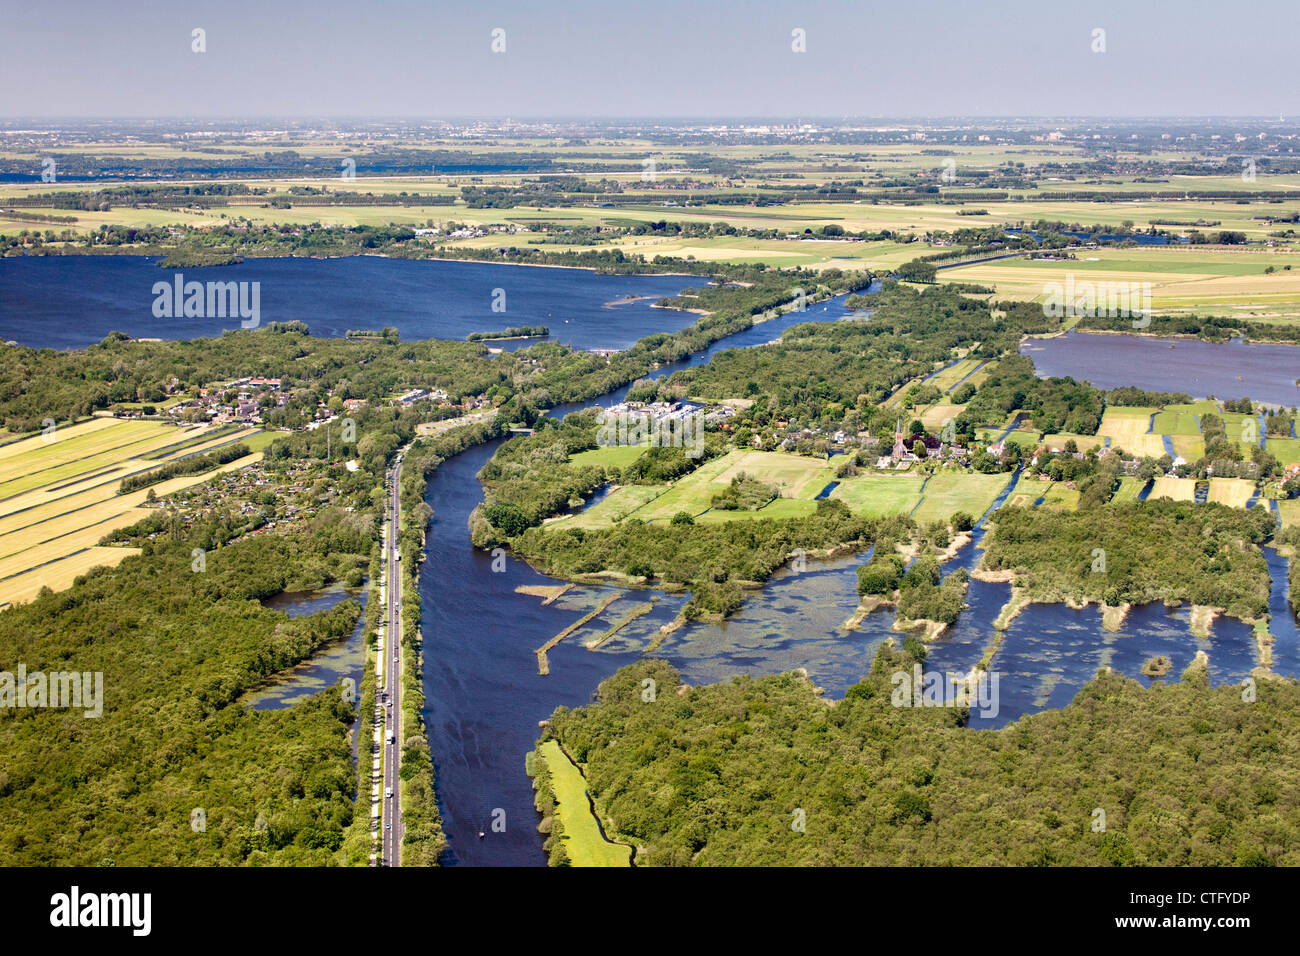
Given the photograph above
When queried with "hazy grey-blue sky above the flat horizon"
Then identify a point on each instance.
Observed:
(638, 59)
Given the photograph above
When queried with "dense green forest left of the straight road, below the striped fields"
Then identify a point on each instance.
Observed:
(179, 648)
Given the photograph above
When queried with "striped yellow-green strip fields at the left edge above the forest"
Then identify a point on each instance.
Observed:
(59, 496)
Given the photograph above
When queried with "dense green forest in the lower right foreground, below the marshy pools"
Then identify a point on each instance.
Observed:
(766, 772)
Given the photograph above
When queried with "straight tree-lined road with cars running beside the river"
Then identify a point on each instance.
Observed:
(392, 845)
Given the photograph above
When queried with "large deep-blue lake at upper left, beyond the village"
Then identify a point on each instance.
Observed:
(71, 302)
